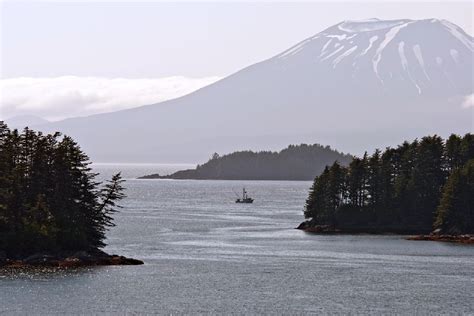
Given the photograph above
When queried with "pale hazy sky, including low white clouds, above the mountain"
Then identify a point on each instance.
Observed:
(99, 41)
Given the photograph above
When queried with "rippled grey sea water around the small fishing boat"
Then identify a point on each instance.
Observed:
(204, 254)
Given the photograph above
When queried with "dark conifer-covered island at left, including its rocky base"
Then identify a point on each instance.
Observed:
(52, 210)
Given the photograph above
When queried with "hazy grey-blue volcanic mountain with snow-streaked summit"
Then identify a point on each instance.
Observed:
(356, 85)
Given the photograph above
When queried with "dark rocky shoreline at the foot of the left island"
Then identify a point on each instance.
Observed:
(67, 260)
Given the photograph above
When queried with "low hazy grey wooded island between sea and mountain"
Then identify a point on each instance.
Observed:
(297, 162)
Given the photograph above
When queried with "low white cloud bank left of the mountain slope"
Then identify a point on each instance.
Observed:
(70, 96)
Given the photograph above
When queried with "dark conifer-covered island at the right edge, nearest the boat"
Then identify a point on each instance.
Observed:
(422, 187)
